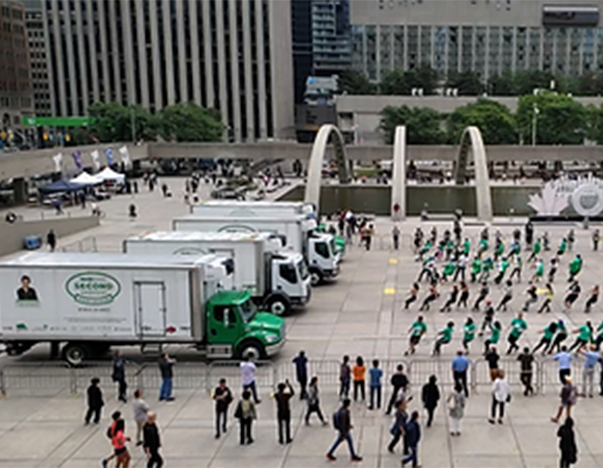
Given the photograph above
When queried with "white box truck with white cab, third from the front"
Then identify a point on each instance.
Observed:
(318, 249)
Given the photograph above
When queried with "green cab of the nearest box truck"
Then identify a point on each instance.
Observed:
(236, 329)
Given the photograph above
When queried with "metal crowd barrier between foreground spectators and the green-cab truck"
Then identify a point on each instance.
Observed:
(52, 379)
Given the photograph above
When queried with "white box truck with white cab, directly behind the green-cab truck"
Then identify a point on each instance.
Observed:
(276, 278)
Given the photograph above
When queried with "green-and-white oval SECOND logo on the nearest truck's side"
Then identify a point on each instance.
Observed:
(93, 288)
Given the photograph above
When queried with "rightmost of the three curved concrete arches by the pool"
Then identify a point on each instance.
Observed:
(472, 139)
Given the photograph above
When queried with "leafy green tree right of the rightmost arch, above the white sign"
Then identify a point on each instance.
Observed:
(559, 119)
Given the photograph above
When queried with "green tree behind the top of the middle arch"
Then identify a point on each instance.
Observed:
(422, 125)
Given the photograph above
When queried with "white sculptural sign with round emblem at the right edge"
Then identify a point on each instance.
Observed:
(585, 194)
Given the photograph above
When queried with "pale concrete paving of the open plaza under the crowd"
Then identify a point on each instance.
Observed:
(358, 314)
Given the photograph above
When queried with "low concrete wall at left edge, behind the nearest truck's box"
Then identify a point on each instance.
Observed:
(12, 235)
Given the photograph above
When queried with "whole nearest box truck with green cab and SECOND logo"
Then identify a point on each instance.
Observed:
(87, 302)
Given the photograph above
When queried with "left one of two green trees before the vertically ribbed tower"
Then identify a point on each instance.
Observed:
(112, 122)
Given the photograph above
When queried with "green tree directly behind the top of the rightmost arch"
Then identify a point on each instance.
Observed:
(494, 120)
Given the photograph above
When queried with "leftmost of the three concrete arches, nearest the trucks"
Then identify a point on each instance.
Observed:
(317, 156)
